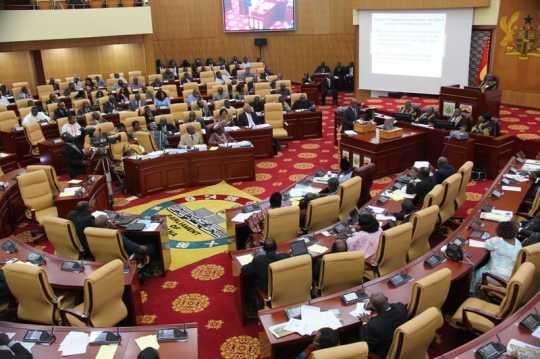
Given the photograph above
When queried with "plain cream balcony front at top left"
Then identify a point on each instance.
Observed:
(27, 25)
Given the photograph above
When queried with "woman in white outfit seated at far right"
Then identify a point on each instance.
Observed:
(503, 251)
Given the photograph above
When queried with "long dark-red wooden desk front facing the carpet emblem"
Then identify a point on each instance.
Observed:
(189, 169)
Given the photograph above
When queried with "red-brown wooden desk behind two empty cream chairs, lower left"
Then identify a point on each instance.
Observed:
(60, 279)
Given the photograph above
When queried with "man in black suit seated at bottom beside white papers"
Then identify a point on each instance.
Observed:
(377, 330)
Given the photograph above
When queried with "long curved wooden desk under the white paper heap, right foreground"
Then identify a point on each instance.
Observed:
(461, 272)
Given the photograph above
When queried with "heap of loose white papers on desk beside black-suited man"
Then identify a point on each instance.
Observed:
(312, 320)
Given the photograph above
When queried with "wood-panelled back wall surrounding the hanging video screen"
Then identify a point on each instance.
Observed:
(189, 29)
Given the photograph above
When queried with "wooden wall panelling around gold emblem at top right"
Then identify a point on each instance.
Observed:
(519, 78)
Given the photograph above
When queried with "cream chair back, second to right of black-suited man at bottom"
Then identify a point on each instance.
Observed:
(430, 291)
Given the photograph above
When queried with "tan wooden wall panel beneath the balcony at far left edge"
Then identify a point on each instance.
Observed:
(15, 67)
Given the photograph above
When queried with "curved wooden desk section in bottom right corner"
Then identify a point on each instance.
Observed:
(506, 330)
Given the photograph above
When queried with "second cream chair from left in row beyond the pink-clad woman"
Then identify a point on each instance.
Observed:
(322, 212)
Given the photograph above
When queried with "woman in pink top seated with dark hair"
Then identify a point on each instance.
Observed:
(368, 236)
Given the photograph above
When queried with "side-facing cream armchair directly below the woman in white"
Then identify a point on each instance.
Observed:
(479, 316)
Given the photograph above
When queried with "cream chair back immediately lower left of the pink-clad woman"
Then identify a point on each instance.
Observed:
(340, 271)
